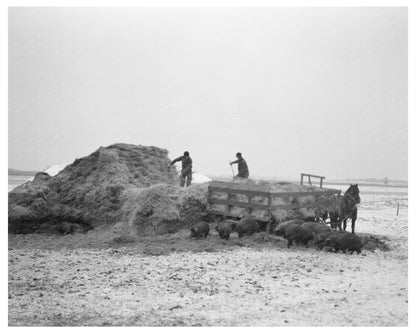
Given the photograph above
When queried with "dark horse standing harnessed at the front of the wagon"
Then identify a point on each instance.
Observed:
(345, 207)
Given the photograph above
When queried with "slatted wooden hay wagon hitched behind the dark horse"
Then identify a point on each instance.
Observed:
(234, 200)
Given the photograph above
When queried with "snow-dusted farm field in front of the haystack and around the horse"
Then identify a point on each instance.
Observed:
(172, 280)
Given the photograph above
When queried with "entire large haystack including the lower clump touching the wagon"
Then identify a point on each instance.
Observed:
(112, 185)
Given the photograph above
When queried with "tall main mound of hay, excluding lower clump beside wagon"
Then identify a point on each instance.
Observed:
(91, 190)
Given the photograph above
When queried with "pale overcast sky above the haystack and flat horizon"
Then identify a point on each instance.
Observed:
(315, 90)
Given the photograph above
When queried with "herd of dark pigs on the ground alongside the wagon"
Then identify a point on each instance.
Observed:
(295, 231)
